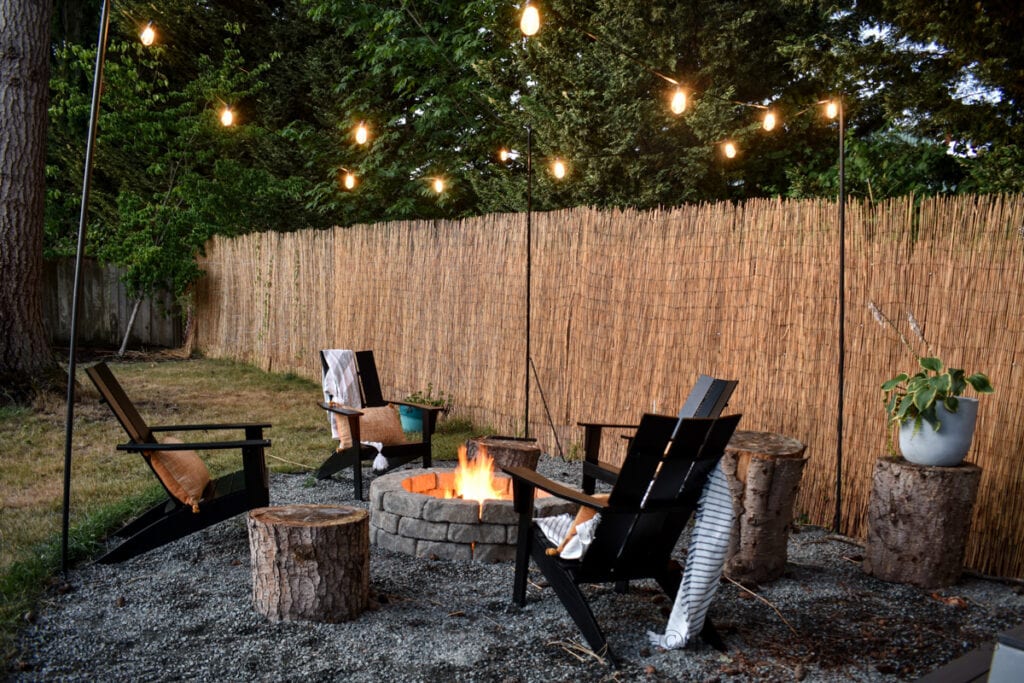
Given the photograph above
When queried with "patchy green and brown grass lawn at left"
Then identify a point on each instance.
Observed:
(109, 486)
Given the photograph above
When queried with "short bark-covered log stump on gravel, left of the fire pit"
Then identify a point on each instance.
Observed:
(311, 563)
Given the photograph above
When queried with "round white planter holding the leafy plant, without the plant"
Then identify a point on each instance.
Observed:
(948, 447)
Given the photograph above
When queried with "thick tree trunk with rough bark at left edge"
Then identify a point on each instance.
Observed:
(27, 366)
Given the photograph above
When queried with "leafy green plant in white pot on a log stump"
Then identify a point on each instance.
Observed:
(935, 422)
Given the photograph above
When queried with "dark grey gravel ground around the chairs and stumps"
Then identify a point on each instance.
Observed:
(185, 612)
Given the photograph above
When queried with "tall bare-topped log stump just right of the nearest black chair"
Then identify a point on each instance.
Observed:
(764, 472)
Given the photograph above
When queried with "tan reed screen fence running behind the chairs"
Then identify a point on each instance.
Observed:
(629, 308)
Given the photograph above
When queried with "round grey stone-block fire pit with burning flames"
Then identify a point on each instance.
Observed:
(416, 513)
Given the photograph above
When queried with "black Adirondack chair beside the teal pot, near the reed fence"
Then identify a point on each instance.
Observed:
(354, 456)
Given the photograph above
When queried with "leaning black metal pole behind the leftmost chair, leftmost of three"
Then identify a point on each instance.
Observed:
(105, 22)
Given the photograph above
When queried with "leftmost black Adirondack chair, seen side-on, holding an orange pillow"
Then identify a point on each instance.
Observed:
(221, 500)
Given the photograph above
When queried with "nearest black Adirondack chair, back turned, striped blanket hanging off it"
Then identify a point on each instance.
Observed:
(658, 491)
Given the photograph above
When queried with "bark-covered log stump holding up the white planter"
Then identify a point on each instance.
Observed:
(918, 522)
